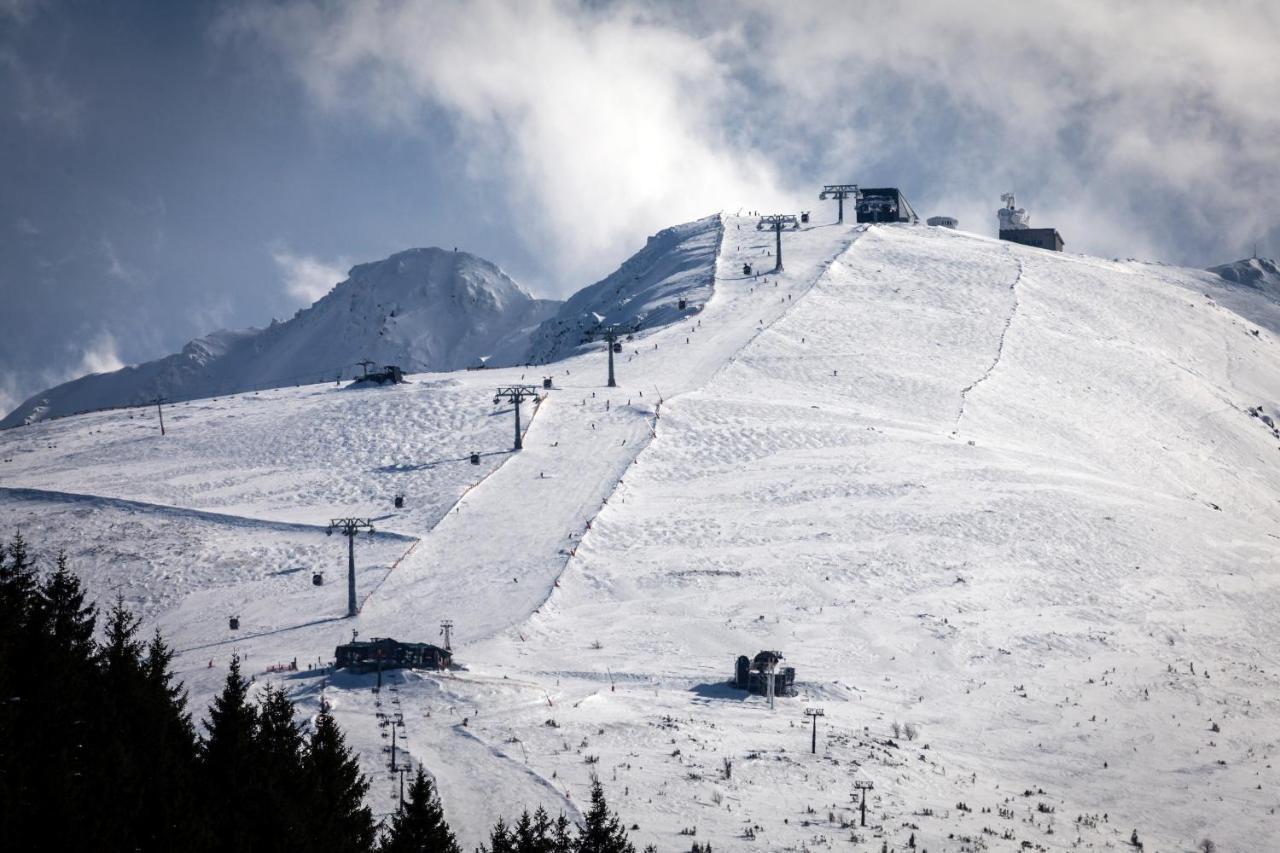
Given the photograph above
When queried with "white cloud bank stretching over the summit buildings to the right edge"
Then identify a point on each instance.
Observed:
(1142, 126)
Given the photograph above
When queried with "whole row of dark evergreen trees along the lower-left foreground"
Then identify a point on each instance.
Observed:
(98, 752)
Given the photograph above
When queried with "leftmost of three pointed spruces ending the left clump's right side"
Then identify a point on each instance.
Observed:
(230, 765)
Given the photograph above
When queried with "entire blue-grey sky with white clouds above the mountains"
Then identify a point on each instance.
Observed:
(172, 168)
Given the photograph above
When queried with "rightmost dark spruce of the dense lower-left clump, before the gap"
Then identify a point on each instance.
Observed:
(339, 822)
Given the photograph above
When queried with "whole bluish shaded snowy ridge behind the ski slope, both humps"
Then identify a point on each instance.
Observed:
(423, 309)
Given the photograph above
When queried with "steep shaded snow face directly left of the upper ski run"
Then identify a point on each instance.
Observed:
(643, 294)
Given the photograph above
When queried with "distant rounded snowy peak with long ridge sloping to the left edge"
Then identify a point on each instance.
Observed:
(423, 309)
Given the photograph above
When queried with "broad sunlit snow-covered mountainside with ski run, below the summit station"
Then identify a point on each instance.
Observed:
(1011, 498)
